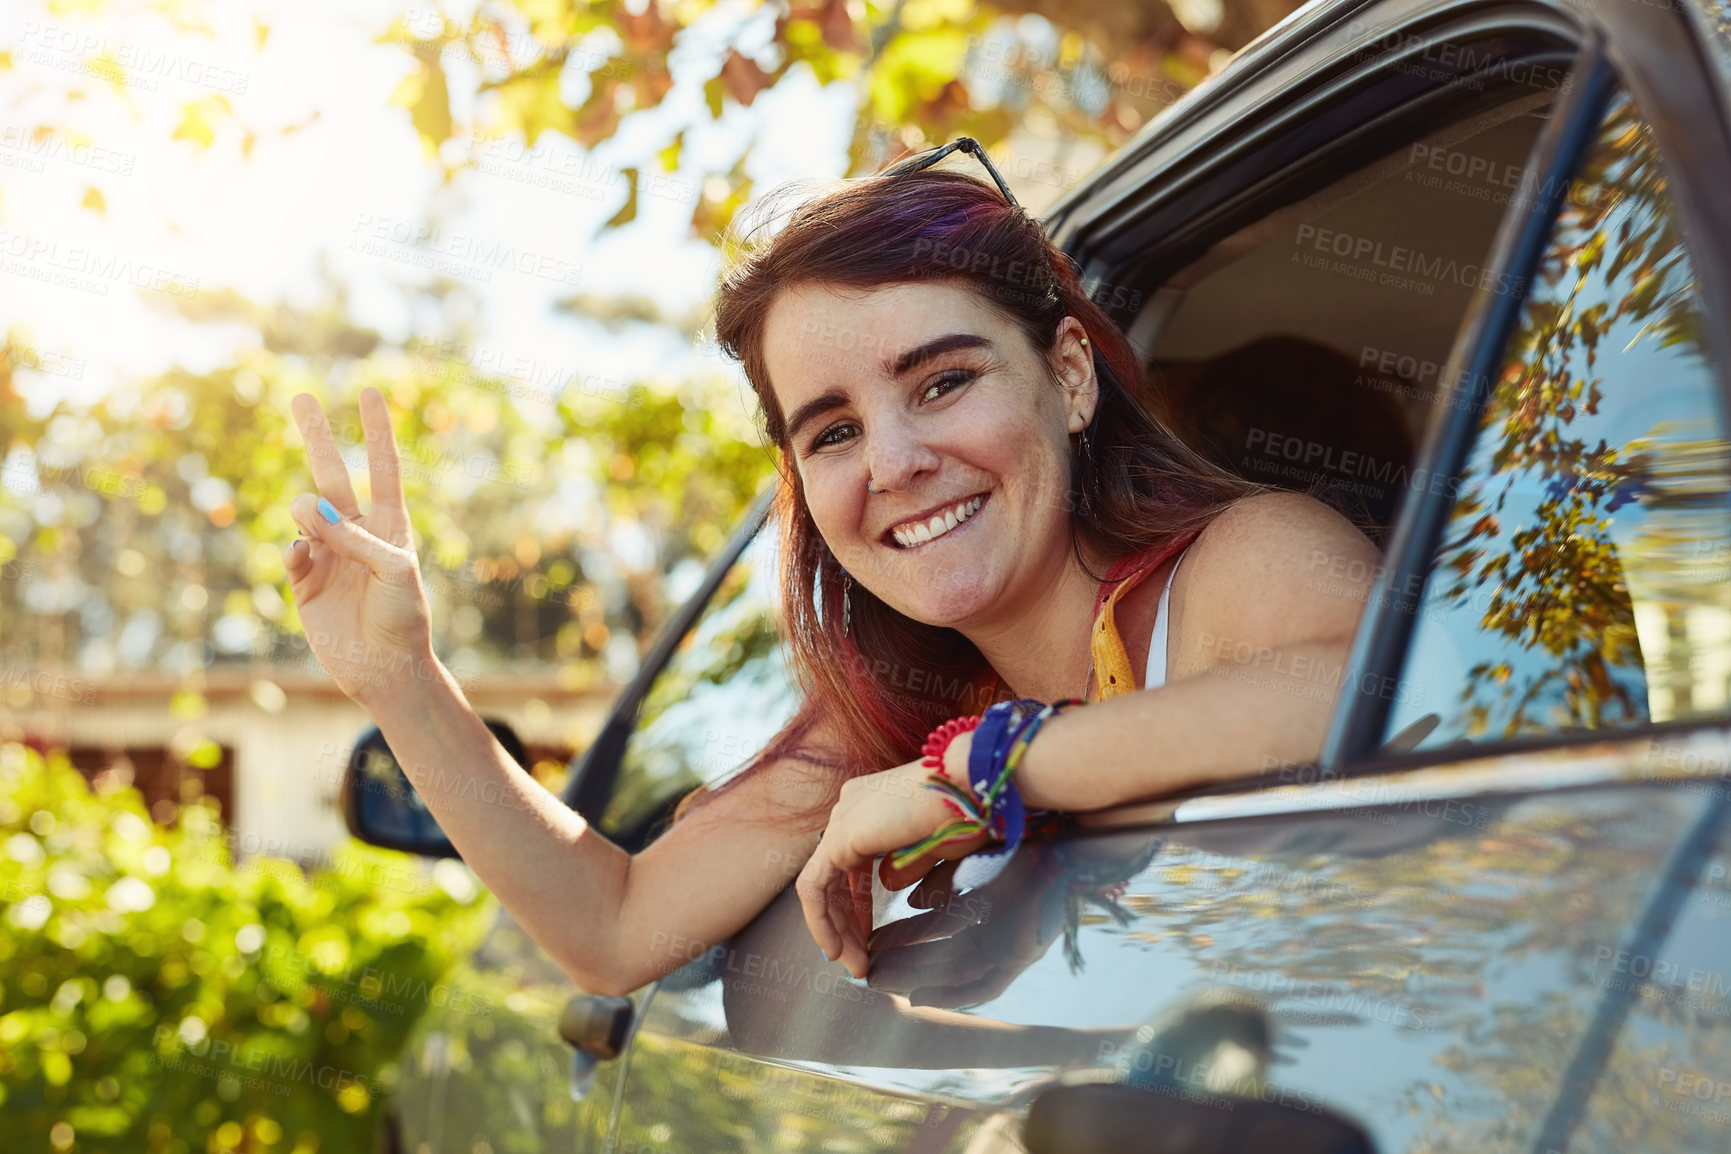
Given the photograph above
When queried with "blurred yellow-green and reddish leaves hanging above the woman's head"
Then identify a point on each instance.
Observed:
(923, 72)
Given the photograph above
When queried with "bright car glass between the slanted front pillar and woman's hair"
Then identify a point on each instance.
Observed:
(721, 698)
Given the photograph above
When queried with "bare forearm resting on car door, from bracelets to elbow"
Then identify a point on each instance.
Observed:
(1230, 721)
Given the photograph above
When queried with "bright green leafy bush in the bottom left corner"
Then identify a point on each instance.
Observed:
(155, 997)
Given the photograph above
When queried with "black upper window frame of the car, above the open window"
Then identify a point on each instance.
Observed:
(1316, 113)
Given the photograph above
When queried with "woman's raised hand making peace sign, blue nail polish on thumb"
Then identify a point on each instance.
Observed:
(357, 582)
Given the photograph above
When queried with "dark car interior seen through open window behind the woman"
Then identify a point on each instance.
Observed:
(1308, 349)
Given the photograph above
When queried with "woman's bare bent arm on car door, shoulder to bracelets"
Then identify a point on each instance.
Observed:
(1275, 594)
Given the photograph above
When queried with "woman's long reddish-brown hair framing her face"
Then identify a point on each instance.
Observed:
(892, 679)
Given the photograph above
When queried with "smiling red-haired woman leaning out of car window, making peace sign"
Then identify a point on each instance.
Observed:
(975, 501)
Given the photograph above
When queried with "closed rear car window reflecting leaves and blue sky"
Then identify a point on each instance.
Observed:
(1583, 575)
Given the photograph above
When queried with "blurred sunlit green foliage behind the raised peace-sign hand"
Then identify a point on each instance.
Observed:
(151, 523)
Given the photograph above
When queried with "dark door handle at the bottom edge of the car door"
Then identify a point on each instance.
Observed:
(1100, 1119)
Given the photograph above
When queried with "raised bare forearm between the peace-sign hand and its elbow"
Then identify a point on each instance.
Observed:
(562, 880)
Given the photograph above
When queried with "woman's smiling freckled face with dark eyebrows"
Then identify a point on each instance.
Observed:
(949, 411)
